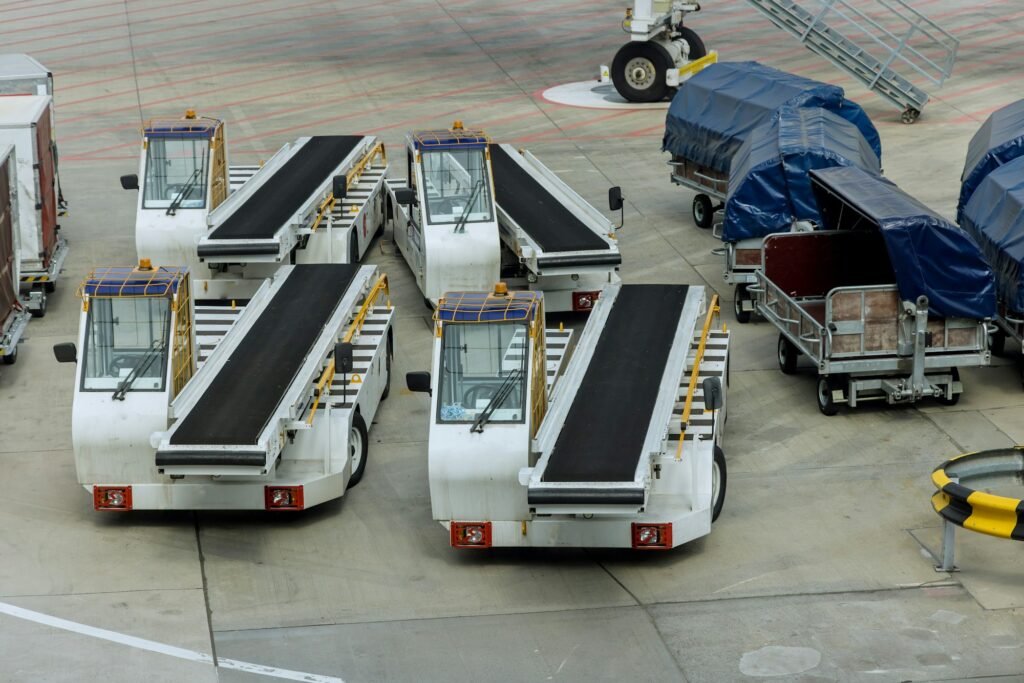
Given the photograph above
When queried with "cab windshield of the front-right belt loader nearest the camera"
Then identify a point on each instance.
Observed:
(482, 363)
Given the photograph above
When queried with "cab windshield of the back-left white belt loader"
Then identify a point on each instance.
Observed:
(176, 174)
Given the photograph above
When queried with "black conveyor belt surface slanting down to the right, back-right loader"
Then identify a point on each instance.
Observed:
(546, 220)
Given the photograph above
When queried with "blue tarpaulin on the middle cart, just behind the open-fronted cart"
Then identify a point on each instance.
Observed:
(769, 184)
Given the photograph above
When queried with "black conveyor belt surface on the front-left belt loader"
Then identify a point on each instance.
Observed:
(243, 397)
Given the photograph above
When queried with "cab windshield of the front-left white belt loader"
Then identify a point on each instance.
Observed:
(126, 334)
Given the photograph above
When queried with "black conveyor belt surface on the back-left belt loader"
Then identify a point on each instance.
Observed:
(264, 214)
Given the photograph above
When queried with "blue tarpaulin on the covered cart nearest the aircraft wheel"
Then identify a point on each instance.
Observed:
(715, 111)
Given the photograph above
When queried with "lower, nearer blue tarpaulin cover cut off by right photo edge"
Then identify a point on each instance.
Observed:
(995, 217)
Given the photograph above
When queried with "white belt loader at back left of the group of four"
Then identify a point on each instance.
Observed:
(319, 200)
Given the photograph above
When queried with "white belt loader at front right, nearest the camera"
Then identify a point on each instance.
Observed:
(625, 450)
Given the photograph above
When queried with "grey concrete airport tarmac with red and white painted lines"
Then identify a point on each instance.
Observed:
(819, 569)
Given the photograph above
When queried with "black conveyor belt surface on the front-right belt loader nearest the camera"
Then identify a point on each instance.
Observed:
(607, 425)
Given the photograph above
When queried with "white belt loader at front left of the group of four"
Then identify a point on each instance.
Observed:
(183, 403)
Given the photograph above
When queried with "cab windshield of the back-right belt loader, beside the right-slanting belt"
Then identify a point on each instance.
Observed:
(458, 187)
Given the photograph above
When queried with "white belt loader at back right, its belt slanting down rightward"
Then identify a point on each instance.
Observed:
(473, 212)
